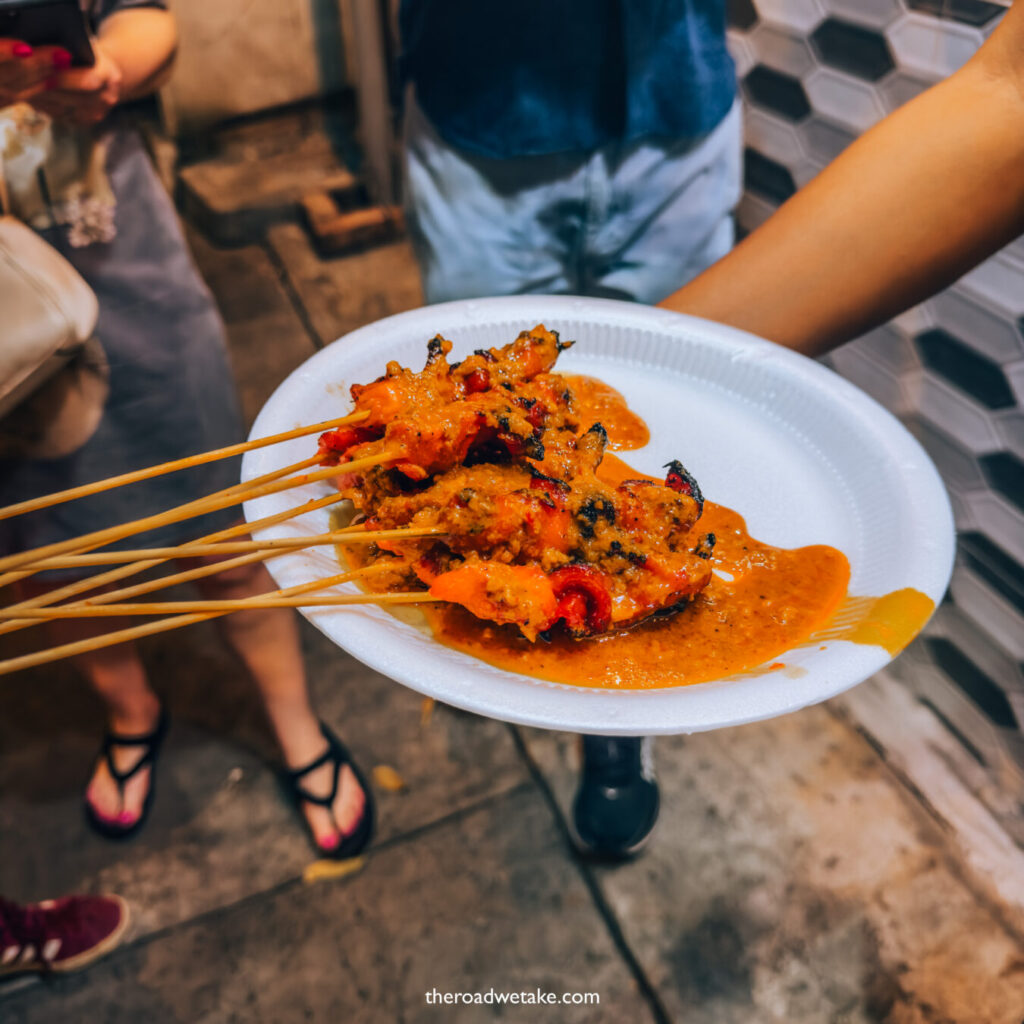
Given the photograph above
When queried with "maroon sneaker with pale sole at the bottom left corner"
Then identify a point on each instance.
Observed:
(60, 934)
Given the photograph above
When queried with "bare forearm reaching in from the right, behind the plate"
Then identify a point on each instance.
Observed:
(915, 203)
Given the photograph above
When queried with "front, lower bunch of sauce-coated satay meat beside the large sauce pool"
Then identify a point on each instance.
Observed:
(582, 552)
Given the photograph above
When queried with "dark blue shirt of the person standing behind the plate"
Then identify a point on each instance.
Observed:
(513, 79)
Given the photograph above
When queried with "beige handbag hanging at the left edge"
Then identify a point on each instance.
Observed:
(53, 372)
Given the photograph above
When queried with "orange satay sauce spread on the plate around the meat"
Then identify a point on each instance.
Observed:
(761, 603)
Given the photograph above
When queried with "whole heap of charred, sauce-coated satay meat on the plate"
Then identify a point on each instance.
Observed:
(490, 451)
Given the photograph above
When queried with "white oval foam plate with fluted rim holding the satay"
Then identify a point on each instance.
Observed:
(805, 456)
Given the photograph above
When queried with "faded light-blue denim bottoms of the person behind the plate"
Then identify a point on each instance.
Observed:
(632, 221)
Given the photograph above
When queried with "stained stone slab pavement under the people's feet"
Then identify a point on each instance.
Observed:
(794, 877)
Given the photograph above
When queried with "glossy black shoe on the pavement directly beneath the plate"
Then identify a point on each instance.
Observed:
(617, 805)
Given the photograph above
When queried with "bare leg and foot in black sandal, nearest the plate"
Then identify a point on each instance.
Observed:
(268, 643)
